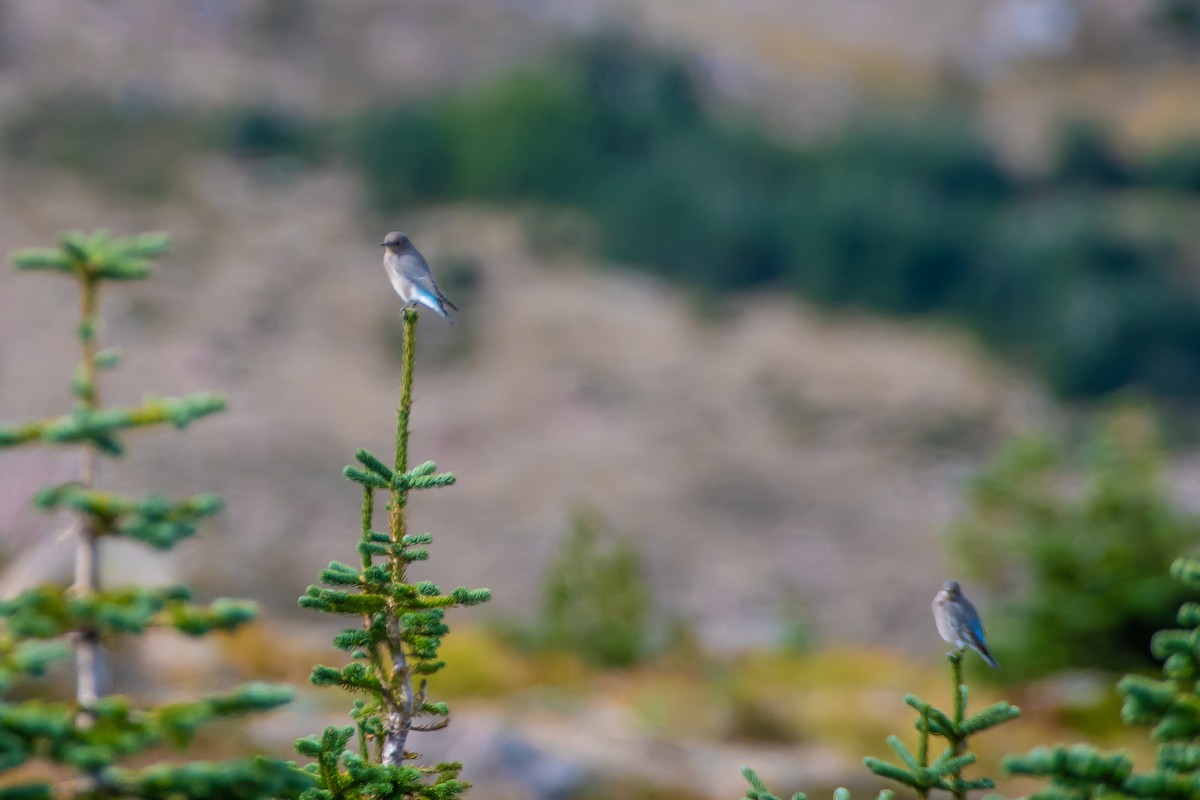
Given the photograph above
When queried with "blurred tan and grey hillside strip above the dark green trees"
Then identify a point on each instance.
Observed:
(805, 67)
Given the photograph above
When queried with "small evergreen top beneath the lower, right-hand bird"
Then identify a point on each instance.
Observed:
(916, 772)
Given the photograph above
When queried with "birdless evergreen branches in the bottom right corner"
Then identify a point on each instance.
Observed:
(1172, 706)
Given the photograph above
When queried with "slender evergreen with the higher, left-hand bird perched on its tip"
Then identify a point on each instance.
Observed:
(395, 648)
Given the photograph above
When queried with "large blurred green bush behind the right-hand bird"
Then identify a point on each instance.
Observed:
(1085, 555)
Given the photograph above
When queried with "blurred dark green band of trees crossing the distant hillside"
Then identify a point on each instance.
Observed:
(1082, 272)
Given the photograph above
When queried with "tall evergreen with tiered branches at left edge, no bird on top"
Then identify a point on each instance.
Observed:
(95, 731)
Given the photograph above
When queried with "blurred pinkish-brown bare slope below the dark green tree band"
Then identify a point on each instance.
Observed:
(743, 449)
